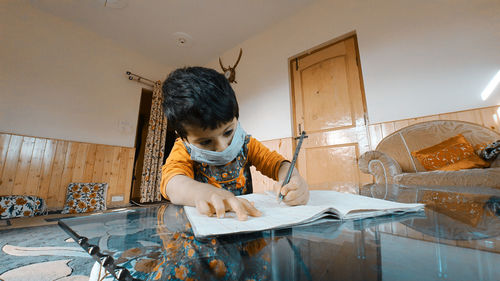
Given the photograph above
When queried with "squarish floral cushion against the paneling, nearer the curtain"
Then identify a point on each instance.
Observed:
(85, 198)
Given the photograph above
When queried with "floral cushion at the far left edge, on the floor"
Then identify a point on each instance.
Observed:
(14, 206)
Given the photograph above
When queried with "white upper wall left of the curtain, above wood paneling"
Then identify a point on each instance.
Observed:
(61, 81)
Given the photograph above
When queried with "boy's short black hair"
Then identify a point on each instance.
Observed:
(198, 96)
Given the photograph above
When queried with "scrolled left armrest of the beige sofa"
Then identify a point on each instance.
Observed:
(380, 165)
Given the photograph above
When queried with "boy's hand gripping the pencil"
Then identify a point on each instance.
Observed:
(296, 192)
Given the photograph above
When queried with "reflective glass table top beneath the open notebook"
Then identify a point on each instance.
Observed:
(456, 237)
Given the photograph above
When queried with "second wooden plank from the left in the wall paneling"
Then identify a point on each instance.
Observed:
(32, 184)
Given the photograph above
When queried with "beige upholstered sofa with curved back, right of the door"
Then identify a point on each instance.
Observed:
(392, 161)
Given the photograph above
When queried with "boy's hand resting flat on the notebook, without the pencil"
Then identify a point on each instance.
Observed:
(218, 203)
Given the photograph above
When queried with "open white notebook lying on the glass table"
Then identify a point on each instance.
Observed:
(321, 204)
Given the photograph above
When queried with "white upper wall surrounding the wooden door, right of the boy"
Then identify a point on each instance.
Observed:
(418, 58)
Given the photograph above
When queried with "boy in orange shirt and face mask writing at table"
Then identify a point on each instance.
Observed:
(210, 162)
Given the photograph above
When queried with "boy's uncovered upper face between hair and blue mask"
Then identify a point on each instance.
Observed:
(217, 139)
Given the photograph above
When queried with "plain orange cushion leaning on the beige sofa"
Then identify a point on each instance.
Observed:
(453, 154)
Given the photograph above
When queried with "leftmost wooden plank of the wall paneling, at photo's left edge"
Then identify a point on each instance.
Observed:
(11, 163)
